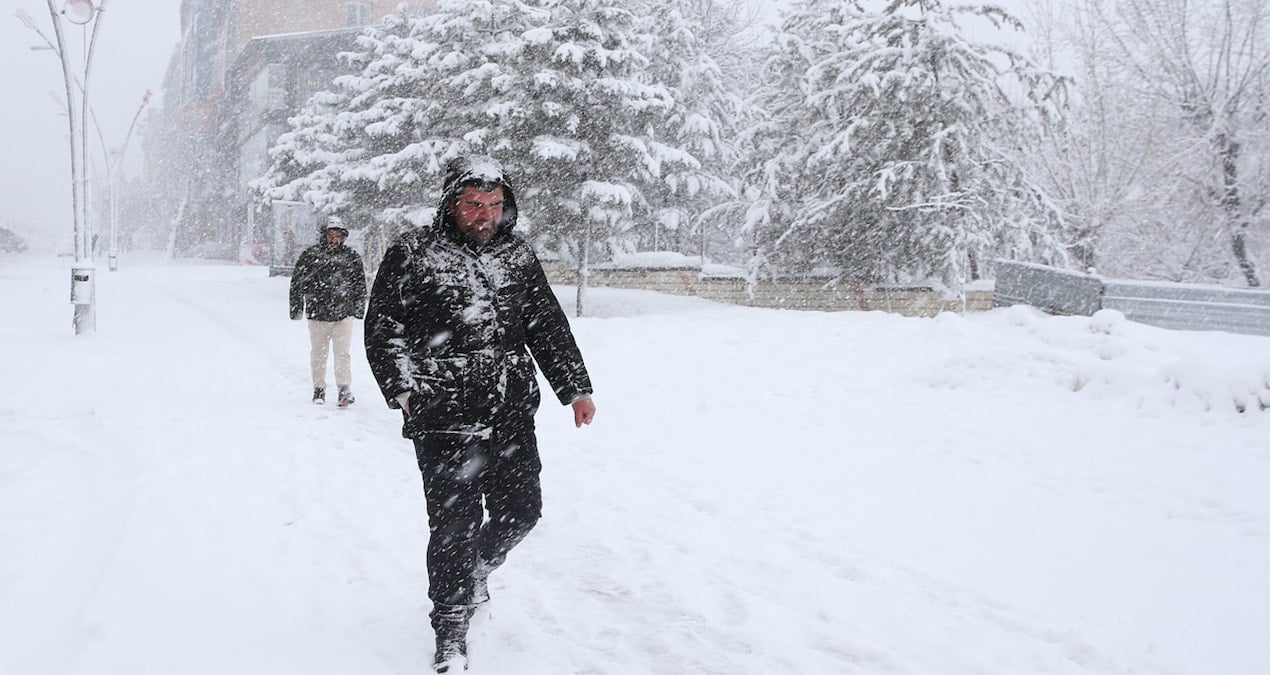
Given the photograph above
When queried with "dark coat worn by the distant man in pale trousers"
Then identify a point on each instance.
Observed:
(328, 284)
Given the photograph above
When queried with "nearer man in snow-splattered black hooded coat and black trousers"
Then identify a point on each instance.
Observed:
(459, 315)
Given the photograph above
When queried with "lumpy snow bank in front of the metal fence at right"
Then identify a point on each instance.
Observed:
(1106, 357)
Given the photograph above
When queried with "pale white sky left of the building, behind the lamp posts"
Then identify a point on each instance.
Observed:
(134, 46)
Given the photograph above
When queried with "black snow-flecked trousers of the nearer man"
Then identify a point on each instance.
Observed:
(465, 477)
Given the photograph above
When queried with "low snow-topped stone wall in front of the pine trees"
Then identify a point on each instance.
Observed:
(787, 294)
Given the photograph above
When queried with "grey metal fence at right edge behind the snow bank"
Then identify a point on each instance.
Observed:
(1182, 307)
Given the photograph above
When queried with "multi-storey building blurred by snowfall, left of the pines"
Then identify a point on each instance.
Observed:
(241, 71)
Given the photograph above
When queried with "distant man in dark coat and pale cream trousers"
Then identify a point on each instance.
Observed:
(330, 285)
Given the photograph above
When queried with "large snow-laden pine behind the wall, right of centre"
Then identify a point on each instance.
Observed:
(892, 148)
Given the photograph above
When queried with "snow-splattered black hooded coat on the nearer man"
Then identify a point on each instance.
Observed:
(455, 325)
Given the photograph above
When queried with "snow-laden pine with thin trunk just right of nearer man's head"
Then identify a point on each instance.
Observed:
(585, 130)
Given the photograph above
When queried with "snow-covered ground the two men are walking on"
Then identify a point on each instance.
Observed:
(763, 491)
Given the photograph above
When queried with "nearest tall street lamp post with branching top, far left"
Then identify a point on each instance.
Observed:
(83, 271)
